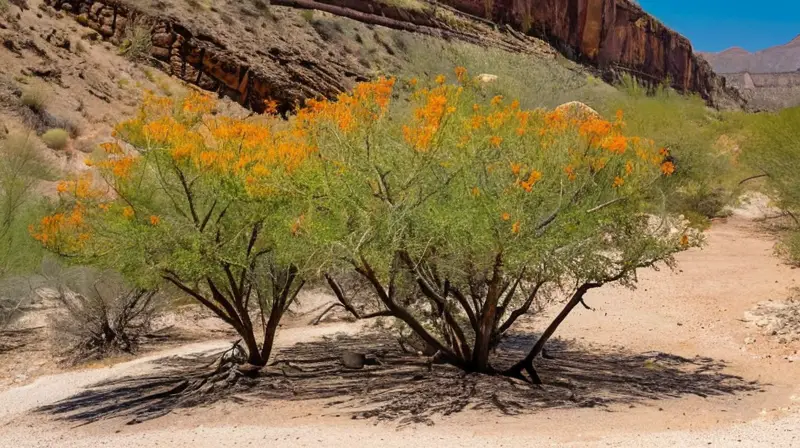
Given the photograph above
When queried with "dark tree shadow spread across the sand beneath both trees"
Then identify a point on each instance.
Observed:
(408, 389)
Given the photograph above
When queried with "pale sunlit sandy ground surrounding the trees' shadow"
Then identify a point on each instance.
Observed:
(695, 310)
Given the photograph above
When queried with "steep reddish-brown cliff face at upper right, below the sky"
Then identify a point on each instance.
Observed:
(612, 35)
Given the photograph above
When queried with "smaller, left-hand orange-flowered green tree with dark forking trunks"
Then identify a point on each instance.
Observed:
(201, 204)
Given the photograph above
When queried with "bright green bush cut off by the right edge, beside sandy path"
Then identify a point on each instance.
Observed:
(769, 148)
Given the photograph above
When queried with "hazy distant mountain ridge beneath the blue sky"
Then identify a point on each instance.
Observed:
(779, 59)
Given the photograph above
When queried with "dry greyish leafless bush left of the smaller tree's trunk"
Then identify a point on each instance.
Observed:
(98, 315)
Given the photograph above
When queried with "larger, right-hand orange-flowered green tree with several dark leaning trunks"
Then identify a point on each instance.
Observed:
(464, 213)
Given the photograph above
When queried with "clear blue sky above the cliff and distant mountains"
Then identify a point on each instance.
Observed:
(714, 25)
